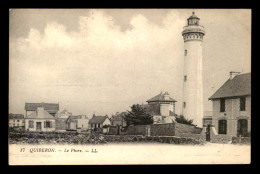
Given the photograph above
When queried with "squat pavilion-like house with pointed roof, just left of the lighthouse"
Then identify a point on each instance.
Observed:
(162, 107)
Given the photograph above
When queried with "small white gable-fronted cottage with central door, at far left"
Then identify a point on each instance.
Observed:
(40, 121)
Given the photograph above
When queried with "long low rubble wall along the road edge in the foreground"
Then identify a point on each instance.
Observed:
(74, 138)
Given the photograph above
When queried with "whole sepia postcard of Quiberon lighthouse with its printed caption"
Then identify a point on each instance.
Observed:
(129, 86)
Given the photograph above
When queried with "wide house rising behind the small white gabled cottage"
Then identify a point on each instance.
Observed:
(51, 108)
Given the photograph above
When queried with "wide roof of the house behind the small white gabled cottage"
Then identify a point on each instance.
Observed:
(46, 106)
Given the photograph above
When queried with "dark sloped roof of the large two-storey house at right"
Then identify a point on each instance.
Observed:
(240, 85)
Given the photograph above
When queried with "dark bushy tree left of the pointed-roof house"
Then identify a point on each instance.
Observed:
(138, 116)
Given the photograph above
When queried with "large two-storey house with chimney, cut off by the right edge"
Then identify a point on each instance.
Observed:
(232, 106)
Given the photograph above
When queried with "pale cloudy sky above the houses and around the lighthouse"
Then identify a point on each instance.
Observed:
(103, 61)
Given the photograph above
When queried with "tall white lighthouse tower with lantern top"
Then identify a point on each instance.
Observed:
(192, 83)
